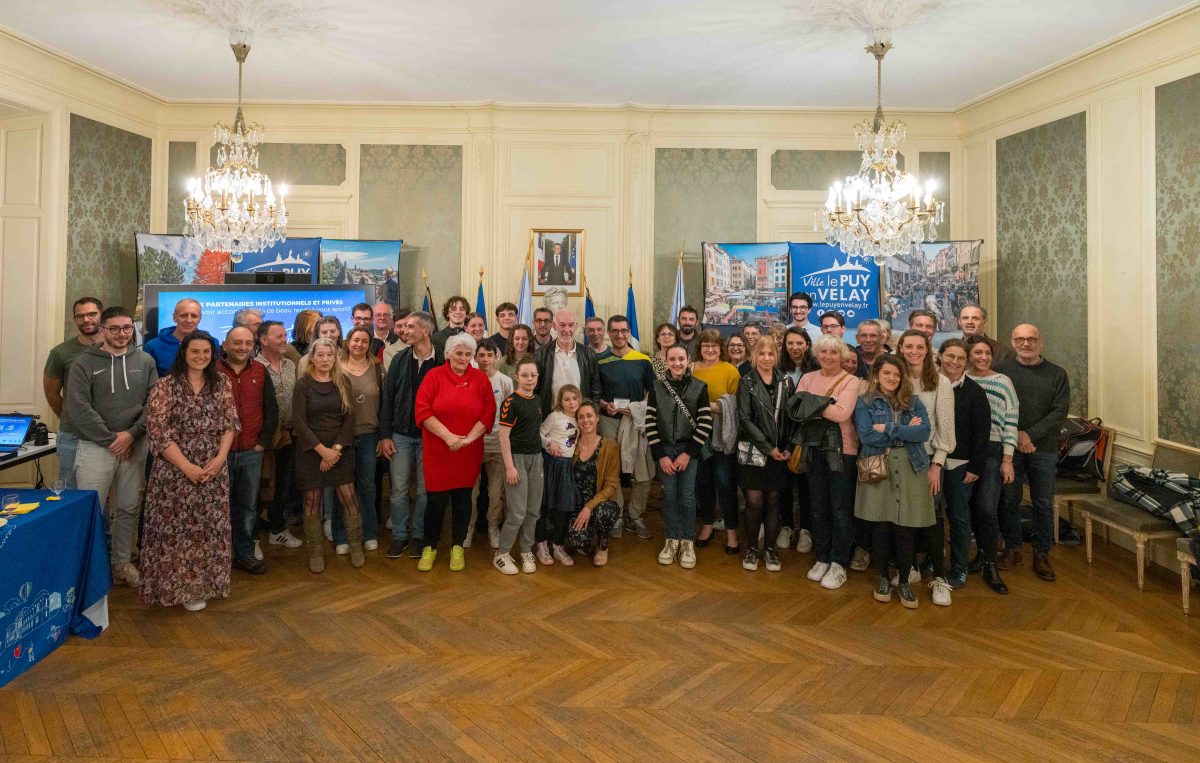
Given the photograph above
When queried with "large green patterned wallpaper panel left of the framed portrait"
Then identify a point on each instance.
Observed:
(415, 193)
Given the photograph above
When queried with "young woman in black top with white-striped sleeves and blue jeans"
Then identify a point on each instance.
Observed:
(679, 424)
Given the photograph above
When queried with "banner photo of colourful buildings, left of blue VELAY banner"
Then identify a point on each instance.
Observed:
(745, 283)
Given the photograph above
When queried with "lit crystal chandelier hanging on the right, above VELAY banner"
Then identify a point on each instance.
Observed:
(880, 212)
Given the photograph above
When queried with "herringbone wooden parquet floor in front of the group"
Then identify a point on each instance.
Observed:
(633, 662)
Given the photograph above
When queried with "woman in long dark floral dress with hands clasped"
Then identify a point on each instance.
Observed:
(191, 420)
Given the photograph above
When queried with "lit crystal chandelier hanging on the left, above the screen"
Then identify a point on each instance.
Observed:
(232, 208)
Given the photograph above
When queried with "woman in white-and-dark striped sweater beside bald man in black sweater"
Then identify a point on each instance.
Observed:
(999, 466)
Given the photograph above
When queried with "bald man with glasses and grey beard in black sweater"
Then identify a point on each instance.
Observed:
(1043, 392)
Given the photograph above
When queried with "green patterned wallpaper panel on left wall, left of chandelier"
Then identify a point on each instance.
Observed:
(109, 201)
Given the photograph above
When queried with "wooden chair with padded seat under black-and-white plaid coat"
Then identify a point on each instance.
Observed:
(1138, 524)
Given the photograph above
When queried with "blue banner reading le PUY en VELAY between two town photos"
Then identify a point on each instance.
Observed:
(836, 281)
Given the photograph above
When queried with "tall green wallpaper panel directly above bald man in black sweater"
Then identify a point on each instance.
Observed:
(1042, 242)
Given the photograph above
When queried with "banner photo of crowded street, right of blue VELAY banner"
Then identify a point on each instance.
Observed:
(940, 277)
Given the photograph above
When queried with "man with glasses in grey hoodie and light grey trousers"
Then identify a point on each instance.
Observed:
(107, 390)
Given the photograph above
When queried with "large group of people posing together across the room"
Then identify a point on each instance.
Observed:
(776, 437)
